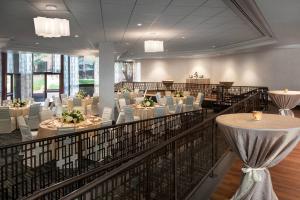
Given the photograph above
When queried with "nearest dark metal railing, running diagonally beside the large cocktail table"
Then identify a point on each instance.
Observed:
(171, 170)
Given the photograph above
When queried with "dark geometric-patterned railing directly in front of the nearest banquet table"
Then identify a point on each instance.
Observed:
(30, 166)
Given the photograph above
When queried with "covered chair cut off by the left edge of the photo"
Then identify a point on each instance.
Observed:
(7, 123)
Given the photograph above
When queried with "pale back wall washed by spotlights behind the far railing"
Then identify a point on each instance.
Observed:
(275, 68)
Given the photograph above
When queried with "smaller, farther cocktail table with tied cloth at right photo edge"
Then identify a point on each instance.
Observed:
(285, 101)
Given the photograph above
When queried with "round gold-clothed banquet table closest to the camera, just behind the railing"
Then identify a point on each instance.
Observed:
(49, 127)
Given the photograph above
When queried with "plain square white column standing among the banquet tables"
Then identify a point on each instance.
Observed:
(106, 75)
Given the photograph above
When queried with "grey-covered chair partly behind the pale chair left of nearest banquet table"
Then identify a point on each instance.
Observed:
(33, 118)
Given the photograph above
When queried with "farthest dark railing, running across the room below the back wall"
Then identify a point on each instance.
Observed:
(219, 93)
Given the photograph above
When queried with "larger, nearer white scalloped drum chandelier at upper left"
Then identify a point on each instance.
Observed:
(51, 27)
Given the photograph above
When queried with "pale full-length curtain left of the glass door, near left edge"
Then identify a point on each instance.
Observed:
(25, 67)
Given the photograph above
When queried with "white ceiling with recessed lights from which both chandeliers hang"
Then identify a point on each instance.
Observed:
(204, 24)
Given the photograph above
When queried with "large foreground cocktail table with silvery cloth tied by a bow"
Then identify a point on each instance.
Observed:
(260, 145)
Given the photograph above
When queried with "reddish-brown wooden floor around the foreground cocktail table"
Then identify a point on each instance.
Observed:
(285, 177)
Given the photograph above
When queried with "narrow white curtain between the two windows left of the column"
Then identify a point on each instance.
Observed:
(74, 75)
